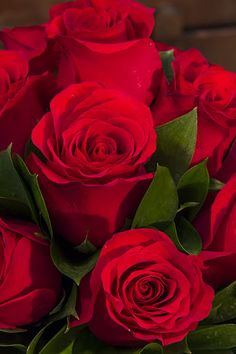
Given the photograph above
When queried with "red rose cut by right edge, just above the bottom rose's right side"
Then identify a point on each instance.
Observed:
(217, 227)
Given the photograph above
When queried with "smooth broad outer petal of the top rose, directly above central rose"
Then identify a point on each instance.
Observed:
(133, 67)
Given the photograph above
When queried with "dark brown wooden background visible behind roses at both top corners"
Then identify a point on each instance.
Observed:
(209, 25)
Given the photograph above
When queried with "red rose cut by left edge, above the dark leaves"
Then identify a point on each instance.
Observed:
(23, 100)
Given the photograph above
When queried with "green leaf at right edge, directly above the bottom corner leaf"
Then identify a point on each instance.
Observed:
(224, 306)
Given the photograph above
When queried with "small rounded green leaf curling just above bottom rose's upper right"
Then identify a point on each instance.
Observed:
(188, 236)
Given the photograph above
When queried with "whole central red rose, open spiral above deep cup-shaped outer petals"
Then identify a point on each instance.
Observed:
(96, 142)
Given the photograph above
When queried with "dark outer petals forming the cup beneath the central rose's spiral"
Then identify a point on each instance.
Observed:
(78, 210)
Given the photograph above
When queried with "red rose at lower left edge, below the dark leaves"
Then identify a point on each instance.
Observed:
(30, 285)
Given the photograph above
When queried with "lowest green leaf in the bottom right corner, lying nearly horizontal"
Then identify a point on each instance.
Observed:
(213, 338)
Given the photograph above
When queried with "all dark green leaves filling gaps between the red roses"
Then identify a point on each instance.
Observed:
(172, 201)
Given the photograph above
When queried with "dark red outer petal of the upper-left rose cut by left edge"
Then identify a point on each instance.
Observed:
(24, 110)
